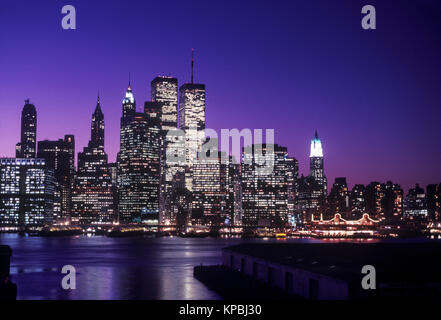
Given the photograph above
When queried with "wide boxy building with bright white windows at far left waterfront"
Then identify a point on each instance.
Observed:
(27, 189)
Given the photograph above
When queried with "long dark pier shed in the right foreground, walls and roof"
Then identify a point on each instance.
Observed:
(333, 271)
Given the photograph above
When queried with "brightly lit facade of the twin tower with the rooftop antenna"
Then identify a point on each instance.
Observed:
(192, 121)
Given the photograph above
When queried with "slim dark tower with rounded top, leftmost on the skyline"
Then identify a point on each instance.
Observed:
(26, 148)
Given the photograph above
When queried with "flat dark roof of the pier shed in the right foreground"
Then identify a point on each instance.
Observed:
(394, 262)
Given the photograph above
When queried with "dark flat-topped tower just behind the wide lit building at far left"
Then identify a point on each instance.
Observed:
(59, 156)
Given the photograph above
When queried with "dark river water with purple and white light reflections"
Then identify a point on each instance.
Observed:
(109, 268)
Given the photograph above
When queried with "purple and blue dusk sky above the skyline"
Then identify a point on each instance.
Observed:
(295, 66)
